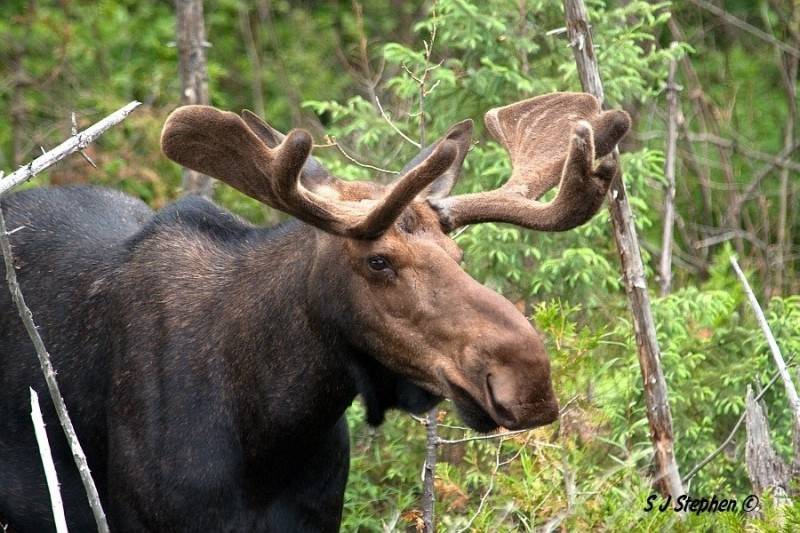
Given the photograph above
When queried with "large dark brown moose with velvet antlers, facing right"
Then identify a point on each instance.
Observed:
(207, 364)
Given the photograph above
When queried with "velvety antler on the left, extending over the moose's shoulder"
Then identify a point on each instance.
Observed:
(221, 144)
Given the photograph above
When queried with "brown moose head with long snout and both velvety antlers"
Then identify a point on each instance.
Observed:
(383, 252)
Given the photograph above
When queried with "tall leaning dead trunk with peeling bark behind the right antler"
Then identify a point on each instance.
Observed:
(658, 411)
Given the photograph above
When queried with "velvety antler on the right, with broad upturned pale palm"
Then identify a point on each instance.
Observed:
(551, 139)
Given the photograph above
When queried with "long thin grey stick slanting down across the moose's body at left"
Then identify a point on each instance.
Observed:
(50, 378)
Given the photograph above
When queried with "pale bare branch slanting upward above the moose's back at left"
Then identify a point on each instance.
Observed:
(73, 144)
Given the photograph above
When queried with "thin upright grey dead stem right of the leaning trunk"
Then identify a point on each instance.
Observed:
(665, 268)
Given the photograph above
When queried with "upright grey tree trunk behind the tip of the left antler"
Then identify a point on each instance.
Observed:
(194, 77)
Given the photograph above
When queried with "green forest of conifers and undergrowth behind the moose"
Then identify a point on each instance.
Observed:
(346, 71)
